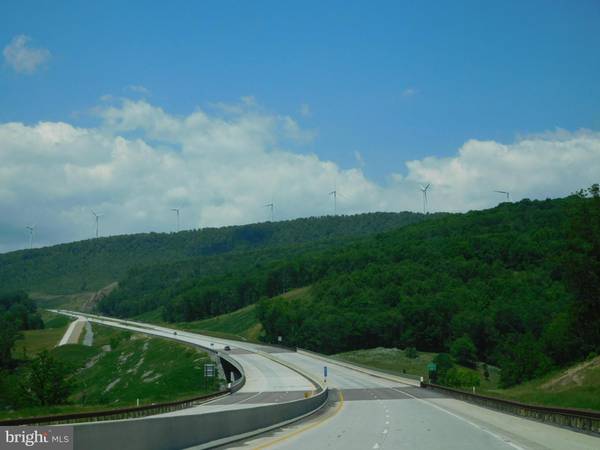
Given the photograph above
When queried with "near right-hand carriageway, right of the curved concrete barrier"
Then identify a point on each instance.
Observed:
(379, 413)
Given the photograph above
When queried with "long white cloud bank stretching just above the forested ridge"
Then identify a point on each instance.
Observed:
(140, 162)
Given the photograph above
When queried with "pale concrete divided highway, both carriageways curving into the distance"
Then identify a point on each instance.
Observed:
(364, 411)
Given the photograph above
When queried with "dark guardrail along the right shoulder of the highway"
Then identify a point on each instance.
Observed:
(577, 419)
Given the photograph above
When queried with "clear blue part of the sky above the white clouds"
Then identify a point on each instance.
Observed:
(393, 81)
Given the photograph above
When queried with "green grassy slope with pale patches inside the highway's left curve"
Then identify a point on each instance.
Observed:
(121, 367)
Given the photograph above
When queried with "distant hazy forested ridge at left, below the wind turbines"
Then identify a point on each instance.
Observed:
(92, 264)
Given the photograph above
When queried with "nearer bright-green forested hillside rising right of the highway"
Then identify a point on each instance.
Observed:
(517, 286)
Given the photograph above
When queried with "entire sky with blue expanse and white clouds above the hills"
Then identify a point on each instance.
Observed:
(218, 108)
